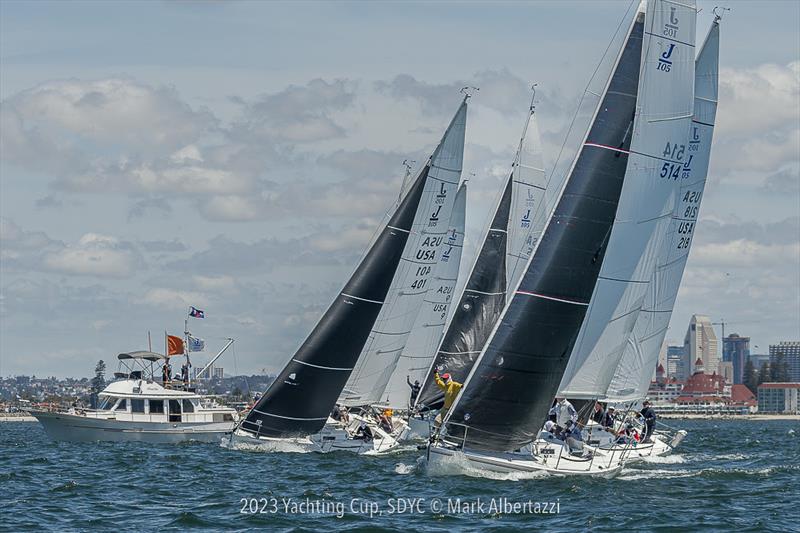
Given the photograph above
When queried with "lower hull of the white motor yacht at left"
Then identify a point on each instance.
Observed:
(77, 428)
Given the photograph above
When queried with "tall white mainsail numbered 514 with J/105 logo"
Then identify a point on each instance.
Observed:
(657, 156)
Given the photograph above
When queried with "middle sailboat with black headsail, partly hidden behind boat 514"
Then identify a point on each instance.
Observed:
(513, 231)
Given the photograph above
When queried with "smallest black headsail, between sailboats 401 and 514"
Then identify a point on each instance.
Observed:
(479, 307)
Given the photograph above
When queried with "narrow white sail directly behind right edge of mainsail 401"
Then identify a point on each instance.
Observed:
(427, 332)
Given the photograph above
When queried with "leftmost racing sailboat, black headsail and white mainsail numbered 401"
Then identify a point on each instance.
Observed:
(294, 412)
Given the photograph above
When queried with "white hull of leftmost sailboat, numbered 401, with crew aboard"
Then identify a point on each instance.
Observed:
(334, 437)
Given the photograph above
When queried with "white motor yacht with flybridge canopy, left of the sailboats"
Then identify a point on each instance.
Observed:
(135, 407)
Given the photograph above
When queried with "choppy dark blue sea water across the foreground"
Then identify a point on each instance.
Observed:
(726, 475)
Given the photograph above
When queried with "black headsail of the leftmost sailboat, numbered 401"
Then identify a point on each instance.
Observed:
(303, 394)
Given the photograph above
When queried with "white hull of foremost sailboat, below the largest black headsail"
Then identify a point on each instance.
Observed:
(549, 459)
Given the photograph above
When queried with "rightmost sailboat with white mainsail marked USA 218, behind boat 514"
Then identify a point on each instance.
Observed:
(632, 376)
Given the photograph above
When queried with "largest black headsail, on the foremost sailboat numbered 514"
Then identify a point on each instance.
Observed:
(507, 395)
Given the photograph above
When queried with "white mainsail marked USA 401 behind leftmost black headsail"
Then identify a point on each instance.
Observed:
(410, 284)
